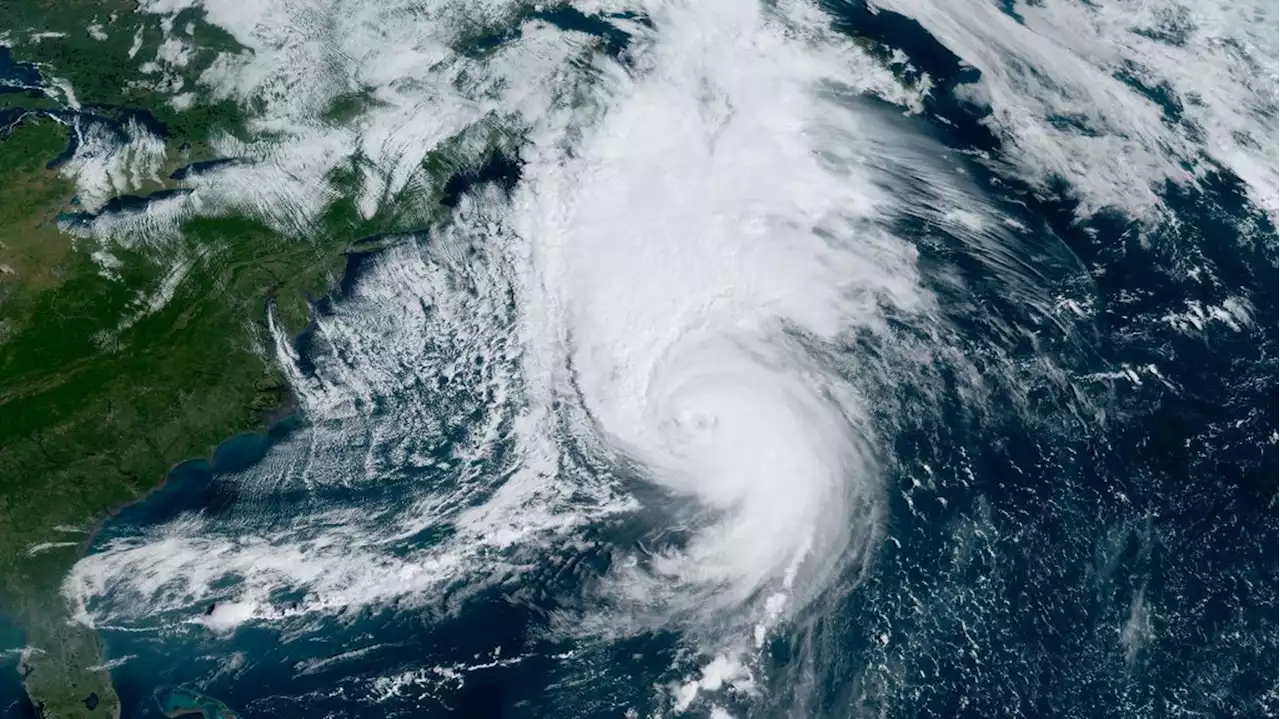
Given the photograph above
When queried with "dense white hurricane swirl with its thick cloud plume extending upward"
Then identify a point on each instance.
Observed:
(696, 259)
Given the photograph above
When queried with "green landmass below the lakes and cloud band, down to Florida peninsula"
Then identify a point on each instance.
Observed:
(94, 415)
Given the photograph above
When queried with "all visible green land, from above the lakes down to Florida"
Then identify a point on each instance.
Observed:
(102, 396)
